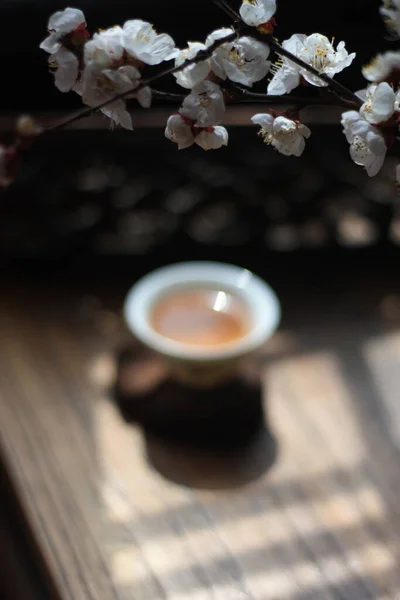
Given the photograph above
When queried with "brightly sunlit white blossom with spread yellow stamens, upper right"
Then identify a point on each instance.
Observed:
(315, 50)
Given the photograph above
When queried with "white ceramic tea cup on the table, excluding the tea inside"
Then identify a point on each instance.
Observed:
(203, 364)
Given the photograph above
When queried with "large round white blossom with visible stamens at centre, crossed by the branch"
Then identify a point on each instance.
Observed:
(242, 61)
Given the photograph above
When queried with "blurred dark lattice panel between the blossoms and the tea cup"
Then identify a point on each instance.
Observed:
(132, 194)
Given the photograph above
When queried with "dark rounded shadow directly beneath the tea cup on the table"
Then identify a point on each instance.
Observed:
(215, 438)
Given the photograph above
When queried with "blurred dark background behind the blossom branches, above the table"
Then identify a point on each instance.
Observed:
(89, 194)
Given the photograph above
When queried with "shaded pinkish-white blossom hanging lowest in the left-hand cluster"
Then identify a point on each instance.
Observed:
(101, 85)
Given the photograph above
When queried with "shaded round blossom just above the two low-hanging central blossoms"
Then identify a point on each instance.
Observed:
(205, 104)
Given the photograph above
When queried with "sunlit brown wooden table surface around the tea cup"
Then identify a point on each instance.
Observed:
(110, 524)
